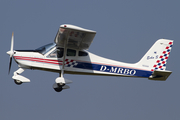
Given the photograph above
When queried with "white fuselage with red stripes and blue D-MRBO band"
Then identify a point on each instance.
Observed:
(76, 62)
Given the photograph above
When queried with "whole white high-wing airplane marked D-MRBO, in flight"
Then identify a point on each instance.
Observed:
(68, 55)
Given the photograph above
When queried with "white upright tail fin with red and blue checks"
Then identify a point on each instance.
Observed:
(157, 55)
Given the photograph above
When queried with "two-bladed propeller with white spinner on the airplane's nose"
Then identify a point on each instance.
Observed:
(11, 52)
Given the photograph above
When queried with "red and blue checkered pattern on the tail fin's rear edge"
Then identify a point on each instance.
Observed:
(162, 60)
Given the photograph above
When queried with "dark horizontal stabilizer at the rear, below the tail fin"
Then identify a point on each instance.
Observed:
(160, 75)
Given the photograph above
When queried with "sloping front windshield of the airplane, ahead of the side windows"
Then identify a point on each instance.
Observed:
(44, 49)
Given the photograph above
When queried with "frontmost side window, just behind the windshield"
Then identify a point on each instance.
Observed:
(57, 53)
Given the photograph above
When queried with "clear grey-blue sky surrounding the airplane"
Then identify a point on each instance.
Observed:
(126, 29)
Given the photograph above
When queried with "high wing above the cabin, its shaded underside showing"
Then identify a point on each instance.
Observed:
(74, 37)
